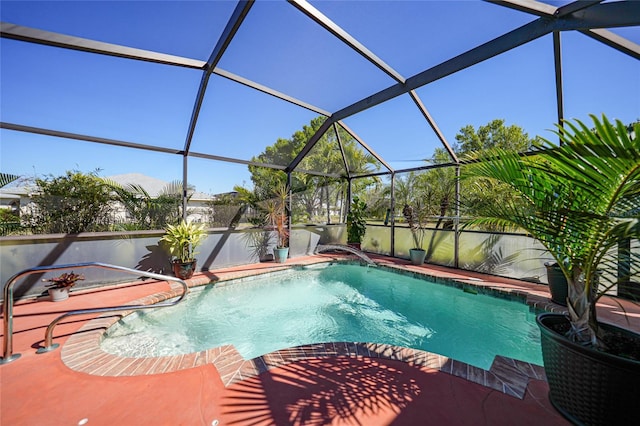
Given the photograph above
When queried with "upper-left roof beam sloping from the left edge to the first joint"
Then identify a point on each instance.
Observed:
(33, 35)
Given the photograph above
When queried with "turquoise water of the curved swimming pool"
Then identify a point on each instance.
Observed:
(337, 302)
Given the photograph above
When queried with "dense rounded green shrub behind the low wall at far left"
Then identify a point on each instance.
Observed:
(72, 203)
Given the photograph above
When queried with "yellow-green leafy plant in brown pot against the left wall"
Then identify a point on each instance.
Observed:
(181, 241)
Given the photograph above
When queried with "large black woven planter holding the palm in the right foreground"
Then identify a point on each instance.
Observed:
(586, 386)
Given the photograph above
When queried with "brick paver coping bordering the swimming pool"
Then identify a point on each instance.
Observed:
(82, 351)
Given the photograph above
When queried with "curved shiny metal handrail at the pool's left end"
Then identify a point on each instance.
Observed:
(8, 302)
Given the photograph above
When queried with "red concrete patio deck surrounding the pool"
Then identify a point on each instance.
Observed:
(322, 386)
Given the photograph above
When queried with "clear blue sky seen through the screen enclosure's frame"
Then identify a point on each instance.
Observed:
(279, 47)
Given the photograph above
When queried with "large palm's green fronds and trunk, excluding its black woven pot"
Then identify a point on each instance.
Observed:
(579, 199)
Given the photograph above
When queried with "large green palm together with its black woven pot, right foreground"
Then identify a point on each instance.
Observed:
(580, 200)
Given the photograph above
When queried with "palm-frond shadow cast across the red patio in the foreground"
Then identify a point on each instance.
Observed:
(365, 391)
